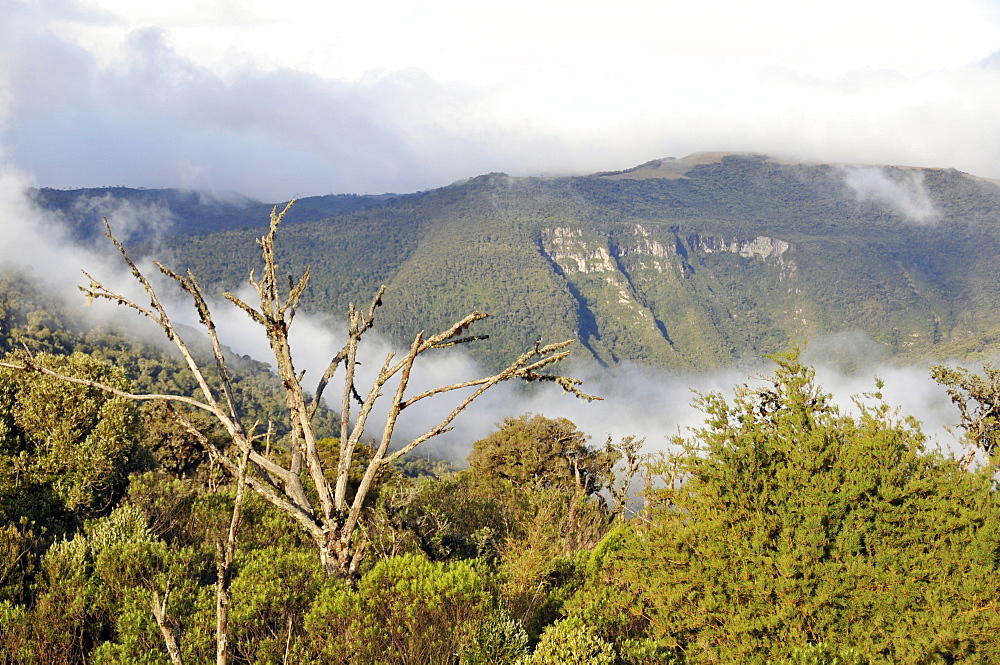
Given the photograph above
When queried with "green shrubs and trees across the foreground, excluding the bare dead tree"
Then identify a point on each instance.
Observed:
(784, 531)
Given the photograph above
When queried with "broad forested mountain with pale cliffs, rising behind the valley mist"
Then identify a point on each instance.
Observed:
(687, 263)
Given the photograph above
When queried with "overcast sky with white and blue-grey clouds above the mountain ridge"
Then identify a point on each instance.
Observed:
(297, 97)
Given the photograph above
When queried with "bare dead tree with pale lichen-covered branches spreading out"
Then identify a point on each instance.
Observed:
(333, 517)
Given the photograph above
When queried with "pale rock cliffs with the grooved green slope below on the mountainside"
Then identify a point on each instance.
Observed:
(653, 293)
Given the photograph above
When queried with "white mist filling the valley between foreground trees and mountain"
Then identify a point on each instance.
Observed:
(637, 401)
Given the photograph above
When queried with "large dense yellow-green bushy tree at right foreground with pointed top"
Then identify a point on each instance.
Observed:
(799, 525)
